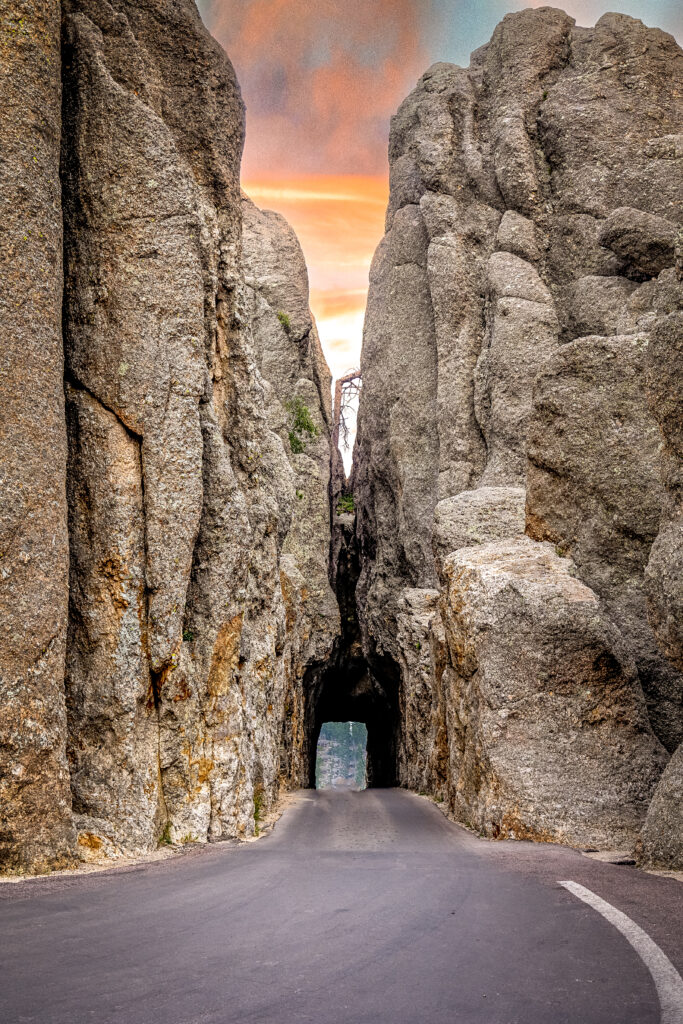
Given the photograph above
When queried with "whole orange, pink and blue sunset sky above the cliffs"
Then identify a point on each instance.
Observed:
(321, 80)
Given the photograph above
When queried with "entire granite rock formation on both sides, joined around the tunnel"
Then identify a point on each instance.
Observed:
(182, 606)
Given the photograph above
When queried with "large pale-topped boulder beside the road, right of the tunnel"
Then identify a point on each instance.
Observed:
(549, 735)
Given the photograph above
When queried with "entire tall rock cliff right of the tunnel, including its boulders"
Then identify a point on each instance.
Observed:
(522, 376)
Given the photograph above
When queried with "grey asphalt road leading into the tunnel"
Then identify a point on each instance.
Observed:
(359, 908)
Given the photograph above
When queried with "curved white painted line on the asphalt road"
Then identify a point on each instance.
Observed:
(667, 979)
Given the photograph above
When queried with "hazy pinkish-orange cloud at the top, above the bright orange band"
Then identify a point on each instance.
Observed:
(321, 80)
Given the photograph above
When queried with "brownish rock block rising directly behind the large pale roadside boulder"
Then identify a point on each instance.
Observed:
(595, 491)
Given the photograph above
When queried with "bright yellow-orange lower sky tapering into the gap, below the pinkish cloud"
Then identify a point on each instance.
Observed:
(339, 221)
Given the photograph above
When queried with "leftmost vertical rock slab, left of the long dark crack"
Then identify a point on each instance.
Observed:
(35, 802)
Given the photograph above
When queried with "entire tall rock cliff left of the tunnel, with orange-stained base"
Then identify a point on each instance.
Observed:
(165, 520)
